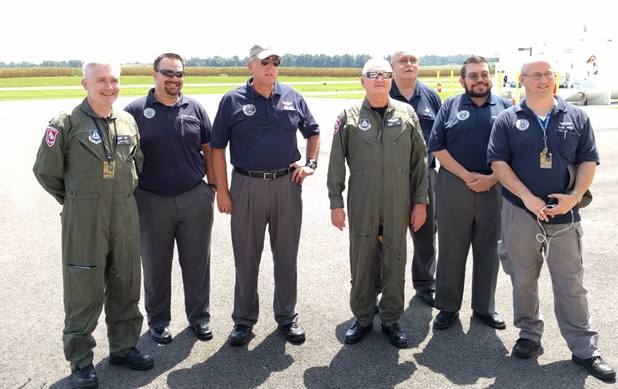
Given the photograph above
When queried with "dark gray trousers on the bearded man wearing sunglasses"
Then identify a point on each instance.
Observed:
(186, 219)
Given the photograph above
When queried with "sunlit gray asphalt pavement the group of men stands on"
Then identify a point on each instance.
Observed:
(469, 354)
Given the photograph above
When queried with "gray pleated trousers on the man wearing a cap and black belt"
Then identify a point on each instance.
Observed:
(256, 204)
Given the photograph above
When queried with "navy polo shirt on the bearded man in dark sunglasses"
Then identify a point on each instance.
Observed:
(171, 139)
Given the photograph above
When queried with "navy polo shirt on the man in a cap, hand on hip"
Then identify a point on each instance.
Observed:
(262, 131)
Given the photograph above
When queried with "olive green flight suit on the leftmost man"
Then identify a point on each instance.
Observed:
(100, 226)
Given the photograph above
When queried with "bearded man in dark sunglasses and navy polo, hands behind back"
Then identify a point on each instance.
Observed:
(174, 201)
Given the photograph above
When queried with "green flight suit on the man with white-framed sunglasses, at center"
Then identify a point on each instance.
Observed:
(387, 160)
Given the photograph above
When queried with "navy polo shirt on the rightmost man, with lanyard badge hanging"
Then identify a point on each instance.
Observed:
(517, 139)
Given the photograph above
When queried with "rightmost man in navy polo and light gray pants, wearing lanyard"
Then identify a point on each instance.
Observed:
(530, 148)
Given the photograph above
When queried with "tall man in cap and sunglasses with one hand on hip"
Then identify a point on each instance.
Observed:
(260, 121)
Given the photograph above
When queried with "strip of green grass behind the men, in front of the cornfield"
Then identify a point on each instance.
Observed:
(41, 88)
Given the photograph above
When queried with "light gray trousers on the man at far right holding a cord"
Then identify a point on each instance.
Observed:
(522, 258)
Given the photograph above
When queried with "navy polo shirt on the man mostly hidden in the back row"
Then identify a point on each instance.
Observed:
(426, 102)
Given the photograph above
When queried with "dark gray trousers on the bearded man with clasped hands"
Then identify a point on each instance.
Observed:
(466, 219)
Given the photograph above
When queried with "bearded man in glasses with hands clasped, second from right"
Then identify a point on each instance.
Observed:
(467, 197)
